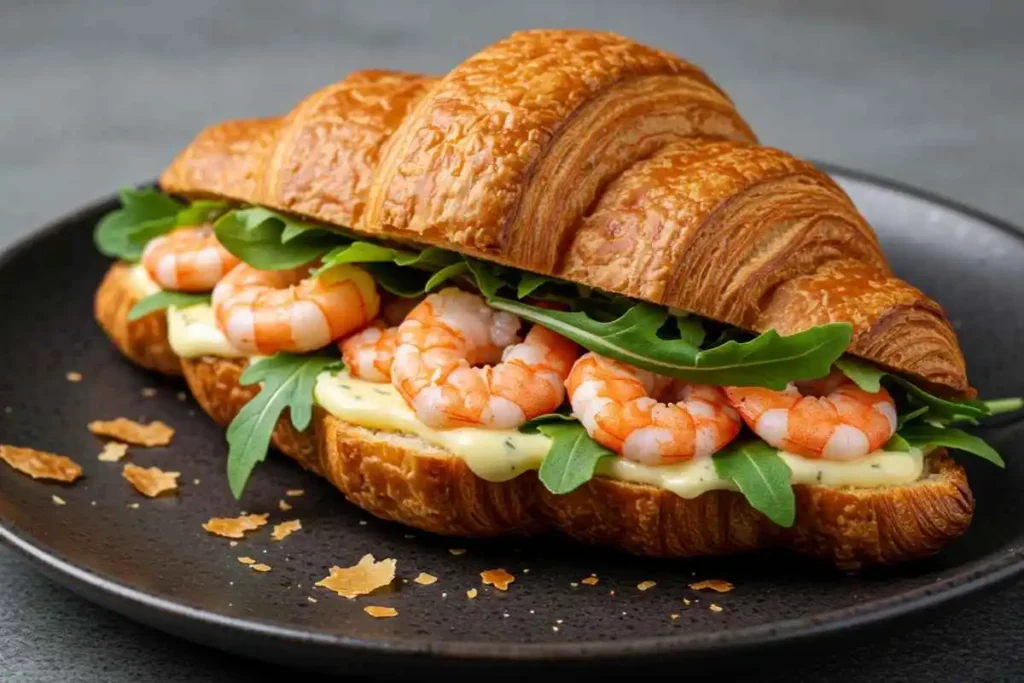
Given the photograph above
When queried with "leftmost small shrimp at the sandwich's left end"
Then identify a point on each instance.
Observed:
(188, 260)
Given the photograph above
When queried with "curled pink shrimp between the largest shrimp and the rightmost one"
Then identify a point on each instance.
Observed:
(615, 404)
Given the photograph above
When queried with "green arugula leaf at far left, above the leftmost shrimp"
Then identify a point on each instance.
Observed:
(145, 215)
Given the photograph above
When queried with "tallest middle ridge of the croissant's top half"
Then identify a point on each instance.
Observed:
(513, 147)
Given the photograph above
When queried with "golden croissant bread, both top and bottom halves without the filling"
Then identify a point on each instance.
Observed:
(587, 157)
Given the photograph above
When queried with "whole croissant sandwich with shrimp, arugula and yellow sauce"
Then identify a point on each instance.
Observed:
(561, 288)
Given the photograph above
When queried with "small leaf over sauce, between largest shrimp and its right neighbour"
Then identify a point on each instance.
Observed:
(573, 457)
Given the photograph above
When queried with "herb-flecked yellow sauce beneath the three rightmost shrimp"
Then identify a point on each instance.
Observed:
(501, 455)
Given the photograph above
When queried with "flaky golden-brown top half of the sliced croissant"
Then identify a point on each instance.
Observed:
(586, 156)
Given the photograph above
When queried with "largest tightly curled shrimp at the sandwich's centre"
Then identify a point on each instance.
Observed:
(449, 333)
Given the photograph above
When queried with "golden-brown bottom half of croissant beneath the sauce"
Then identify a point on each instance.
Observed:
(405, 480)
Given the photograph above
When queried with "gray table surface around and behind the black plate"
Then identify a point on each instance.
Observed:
(96, 95)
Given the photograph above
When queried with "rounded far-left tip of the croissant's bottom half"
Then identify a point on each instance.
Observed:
(145, 340)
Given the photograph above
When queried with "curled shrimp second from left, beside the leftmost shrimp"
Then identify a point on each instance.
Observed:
(267, 312)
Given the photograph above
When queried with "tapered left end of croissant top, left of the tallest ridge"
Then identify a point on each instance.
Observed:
(317, 161)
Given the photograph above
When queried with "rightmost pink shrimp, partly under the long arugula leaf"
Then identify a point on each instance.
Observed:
(834, 420)
